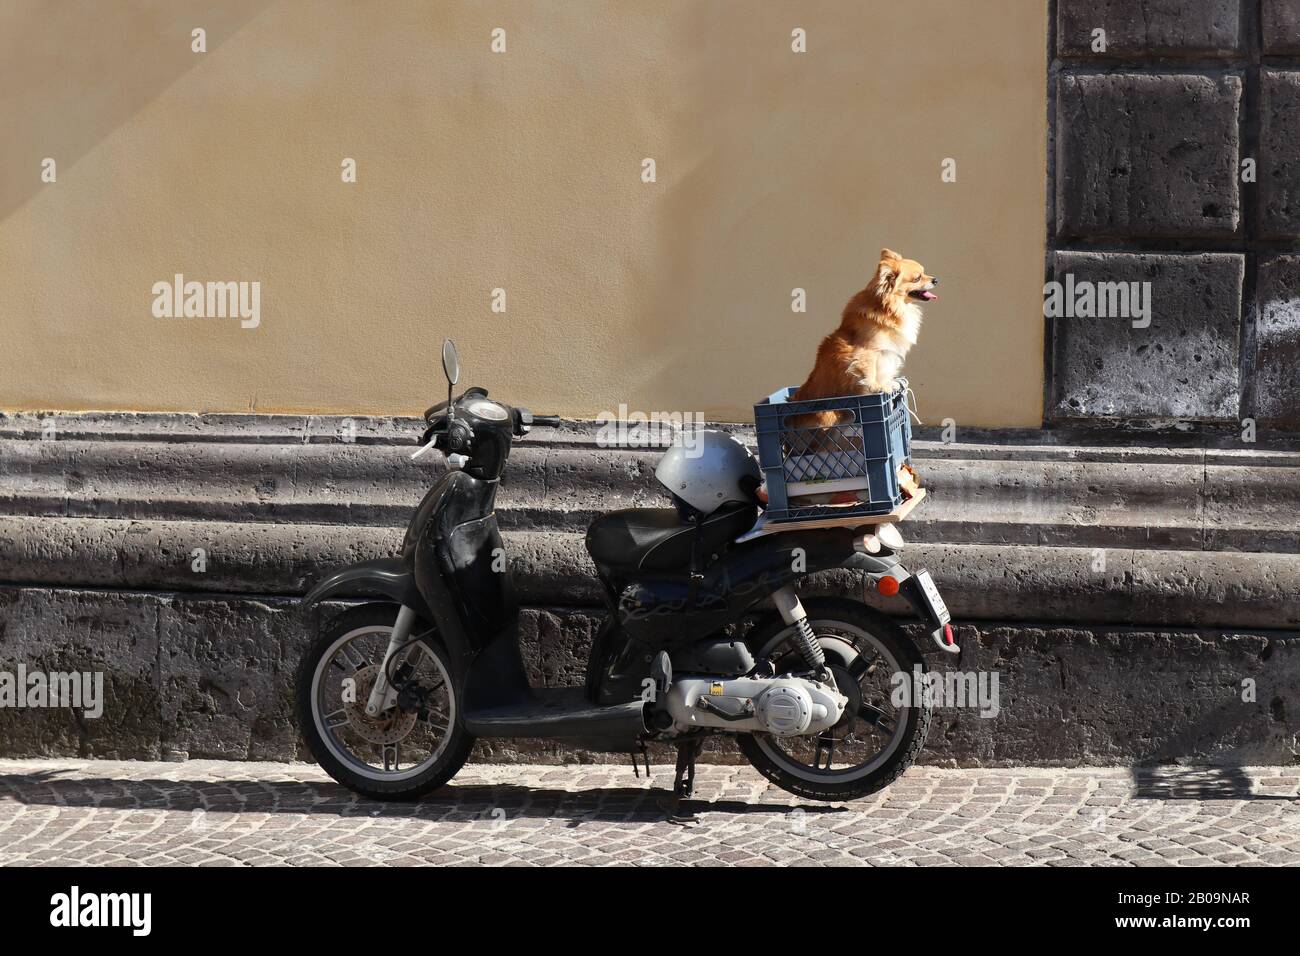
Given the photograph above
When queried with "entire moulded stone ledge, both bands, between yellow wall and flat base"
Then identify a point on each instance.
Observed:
(1011, 531)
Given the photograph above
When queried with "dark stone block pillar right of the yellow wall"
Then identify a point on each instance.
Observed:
(1149, 139)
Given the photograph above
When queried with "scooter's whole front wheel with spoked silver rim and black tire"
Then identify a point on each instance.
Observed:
(409, 750)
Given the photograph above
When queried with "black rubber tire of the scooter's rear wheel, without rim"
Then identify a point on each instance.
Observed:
(913, 723)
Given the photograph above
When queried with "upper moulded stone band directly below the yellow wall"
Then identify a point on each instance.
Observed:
(1143, 498)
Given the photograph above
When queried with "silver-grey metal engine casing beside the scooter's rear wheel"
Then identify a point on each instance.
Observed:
(783, 707)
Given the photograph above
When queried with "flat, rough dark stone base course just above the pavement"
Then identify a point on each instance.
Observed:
(211, 677)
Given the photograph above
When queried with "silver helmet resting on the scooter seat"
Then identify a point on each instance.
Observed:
(708, 469)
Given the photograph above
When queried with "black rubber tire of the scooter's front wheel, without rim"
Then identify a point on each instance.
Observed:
(378, 620)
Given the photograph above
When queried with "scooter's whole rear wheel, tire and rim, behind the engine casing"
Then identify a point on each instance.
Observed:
(850, 633)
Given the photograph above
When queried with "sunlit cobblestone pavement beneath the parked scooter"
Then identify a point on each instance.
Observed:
(233, 814)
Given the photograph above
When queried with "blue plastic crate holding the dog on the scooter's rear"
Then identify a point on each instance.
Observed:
(863, 453)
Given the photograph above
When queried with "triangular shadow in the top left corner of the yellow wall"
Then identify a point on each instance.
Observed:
(80, 107)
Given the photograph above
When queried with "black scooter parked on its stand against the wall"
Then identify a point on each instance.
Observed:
(705, 635)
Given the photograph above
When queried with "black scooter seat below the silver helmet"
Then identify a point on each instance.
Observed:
(660, 539)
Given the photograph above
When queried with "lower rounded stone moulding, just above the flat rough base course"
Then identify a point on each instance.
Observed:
(1029, 583)
